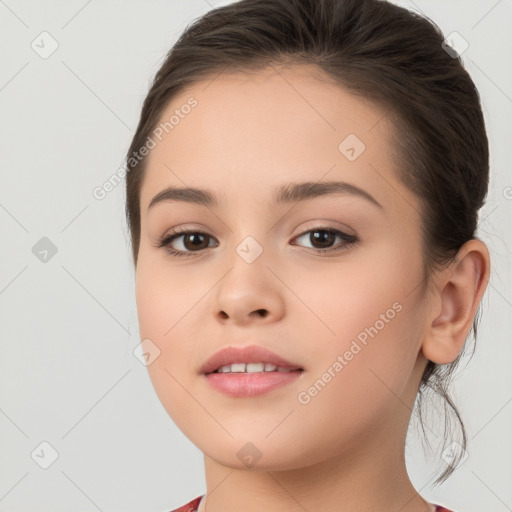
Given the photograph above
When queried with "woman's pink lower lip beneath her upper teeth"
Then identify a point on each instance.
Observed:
(250, 384)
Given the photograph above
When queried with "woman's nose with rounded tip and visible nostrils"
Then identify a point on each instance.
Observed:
(249, 292)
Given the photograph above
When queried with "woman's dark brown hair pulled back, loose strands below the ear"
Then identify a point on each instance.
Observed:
(381, 52)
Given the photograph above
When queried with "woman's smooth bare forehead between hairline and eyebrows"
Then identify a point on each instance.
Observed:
(252, 131)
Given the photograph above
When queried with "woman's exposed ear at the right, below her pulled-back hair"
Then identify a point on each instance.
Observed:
(457, 293)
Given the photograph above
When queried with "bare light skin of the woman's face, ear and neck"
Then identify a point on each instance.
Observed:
(344, 450)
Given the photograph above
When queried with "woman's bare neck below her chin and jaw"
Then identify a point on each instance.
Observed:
(373, 477)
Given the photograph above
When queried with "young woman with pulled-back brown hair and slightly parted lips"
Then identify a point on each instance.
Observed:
(302, 195)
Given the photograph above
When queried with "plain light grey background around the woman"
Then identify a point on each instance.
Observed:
(68, 328)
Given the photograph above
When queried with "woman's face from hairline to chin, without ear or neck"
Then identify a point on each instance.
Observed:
(327, 281)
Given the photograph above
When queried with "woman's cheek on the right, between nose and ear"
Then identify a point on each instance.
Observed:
(366, 315)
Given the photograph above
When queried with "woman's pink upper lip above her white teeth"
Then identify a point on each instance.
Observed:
(249, 354)
